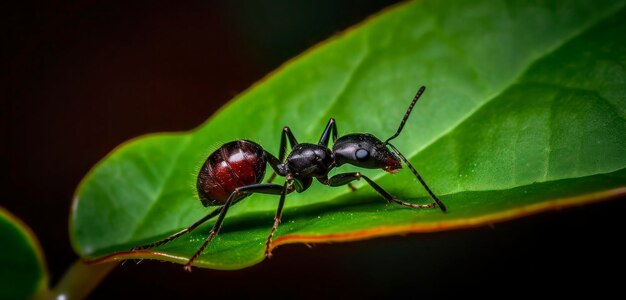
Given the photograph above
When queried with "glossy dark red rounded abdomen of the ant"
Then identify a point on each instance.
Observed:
(233, 165)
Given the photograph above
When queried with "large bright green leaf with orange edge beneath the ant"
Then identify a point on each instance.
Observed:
(525, 111)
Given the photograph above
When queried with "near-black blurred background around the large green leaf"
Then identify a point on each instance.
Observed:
(79, 79)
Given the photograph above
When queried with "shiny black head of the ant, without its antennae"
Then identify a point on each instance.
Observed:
(366, 151)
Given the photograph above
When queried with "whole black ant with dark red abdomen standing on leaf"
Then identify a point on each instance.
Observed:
(236, 170)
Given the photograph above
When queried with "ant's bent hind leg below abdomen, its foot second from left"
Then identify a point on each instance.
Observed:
(273, 189)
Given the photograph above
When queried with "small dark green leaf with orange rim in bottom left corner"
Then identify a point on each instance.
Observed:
(23, 273)
